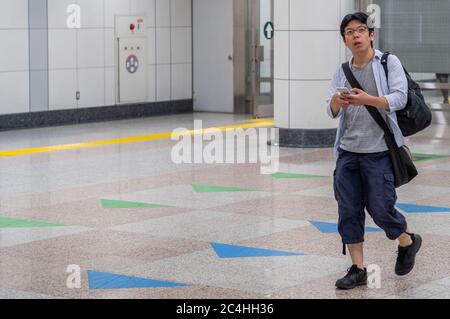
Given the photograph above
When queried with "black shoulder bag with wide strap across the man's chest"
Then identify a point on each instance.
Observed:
(404, 169)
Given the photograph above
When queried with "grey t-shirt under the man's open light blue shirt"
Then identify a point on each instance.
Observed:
(362, 134)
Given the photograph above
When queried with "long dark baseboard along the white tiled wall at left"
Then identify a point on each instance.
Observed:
(93, 114)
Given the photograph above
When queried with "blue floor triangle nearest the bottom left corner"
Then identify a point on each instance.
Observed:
(103, 280)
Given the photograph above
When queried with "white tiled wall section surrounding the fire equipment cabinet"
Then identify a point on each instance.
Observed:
(89, 51)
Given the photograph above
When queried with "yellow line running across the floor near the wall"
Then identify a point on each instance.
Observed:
(132, 139)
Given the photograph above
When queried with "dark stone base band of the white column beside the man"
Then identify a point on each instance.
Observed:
(307, 138)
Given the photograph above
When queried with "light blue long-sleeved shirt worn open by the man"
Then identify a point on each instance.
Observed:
(396, 94)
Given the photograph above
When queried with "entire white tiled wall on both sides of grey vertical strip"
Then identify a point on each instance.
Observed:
(84, 59)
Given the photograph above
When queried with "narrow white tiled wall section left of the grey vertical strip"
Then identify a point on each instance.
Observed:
(14, 61)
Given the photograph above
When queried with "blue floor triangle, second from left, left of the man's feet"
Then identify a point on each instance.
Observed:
(234, 251)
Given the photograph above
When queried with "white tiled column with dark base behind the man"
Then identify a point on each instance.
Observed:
(308, 48)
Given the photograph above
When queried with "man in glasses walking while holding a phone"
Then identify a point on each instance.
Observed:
(364, 177)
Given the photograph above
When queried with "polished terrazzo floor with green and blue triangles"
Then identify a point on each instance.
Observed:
(139, 226)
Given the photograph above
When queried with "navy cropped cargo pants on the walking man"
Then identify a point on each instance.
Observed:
(366, 181)
